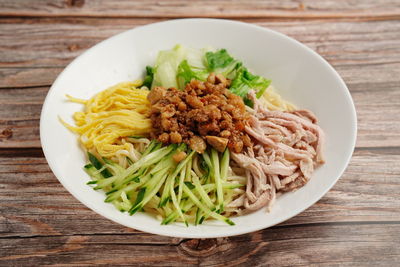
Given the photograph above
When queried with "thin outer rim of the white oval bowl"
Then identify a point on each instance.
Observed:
(143, 228)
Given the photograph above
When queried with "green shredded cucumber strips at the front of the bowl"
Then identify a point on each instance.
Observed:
(174, 190)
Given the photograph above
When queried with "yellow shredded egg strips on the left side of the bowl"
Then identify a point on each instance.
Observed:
(119, 111)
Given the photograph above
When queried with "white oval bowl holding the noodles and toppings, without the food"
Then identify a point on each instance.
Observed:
(299, 74)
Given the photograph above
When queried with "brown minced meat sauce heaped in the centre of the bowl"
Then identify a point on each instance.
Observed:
(203, 112)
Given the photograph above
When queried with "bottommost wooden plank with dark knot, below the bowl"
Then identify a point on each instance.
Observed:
(319, 245)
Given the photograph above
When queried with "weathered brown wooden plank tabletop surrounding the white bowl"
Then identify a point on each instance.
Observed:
(356, 224)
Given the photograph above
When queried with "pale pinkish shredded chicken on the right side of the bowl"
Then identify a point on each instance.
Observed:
(287, 148)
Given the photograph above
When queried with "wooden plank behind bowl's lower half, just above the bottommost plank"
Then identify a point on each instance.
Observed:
(35, 203)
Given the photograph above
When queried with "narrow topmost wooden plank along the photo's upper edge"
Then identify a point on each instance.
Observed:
(221, 8)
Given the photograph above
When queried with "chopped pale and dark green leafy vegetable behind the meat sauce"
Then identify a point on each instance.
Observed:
(178, 66)
